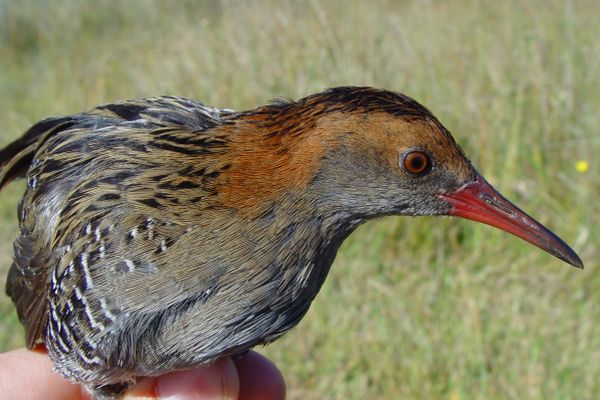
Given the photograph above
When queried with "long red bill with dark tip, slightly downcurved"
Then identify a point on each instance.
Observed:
(479, 201)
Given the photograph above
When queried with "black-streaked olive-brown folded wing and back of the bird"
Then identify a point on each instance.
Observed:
(118, 165)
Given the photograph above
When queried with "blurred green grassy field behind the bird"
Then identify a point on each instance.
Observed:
(427, 308)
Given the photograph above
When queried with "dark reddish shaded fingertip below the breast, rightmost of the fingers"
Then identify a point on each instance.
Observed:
(259, 378)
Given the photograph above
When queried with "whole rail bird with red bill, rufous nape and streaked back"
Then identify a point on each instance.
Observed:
(162, 234)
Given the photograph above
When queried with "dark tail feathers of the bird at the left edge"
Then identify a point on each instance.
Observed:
(17, 156)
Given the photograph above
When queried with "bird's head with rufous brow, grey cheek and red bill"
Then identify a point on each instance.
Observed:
(382, 153)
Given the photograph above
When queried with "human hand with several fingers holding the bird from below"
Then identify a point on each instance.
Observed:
(30, 375)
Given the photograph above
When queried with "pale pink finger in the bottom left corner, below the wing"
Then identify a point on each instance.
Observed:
(30, 375)
